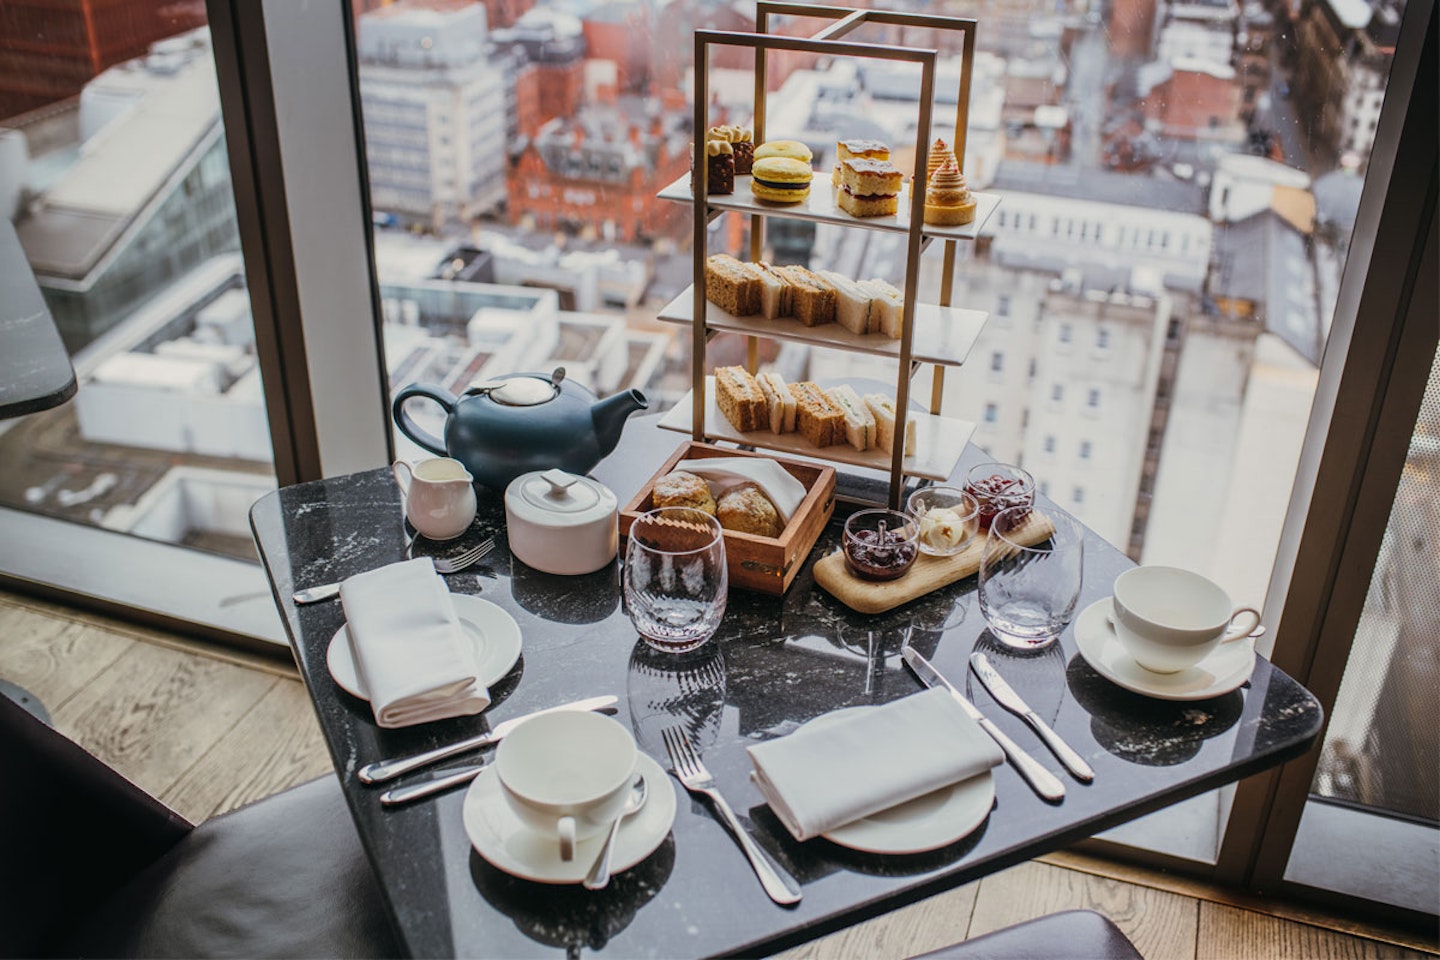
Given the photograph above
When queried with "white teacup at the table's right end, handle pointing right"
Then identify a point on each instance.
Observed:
(1170, 620)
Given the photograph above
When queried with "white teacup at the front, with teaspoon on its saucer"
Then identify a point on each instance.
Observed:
(567, 774)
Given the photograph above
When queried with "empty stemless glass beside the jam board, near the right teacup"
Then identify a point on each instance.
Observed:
(1029, 594)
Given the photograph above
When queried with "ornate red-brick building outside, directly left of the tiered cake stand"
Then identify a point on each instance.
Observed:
(598, 173)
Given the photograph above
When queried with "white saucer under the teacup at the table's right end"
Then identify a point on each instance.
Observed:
(1223, 671)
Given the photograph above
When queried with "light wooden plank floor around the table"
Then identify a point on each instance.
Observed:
(208, 732)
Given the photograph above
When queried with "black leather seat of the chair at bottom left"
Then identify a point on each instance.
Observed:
(286, 877)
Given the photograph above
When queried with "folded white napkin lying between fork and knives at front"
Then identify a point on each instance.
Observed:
(819, 781)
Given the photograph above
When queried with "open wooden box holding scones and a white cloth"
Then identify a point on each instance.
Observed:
(758, 563)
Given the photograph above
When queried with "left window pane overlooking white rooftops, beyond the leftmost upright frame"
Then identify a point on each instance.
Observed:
(113, 166)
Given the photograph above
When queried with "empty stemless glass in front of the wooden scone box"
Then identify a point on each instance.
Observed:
(676, 579)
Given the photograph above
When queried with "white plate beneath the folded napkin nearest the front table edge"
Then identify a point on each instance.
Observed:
(925, 824)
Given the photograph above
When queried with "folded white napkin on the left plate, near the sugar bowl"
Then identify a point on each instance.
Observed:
(410, 648)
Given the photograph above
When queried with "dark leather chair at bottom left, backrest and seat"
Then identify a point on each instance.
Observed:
(94, 867)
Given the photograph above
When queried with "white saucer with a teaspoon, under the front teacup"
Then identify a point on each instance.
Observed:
(508, 844)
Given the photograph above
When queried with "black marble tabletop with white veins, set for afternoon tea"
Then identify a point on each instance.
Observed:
(774, 666)
